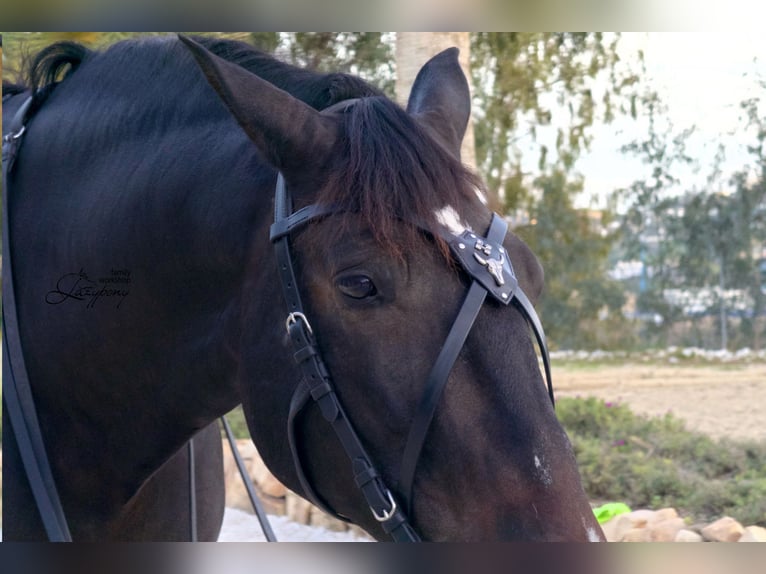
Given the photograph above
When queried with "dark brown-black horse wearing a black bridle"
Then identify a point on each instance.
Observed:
(149, 301)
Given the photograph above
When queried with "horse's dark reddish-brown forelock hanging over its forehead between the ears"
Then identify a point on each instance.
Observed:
(391, 170)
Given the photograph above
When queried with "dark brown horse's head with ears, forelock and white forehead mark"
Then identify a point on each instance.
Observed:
(382, 291)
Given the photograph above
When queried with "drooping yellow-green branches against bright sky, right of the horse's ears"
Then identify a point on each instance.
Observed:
(523, 80)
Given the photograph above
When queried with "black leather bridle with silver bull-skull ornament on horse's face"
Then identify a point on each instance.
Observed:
(488, 265)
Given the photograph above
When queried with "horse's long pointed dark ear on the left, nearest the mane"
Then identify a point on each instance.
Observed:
(292, 135)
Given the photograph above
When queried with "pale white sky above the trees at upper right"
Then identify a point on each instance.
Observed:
(701, 78)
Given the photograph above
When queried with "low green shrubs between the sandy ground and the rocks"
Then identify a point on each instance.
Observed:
(656, 462)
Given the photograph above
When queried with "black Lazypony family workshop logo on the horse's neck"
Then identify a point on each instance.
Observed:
(79, 287)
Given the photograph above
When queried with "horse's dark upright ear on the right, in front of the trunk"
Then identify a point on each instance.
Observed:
(440, 98)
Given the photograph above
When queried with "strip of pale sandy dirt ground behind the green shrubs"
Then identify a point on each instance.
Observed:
(720, 400)
